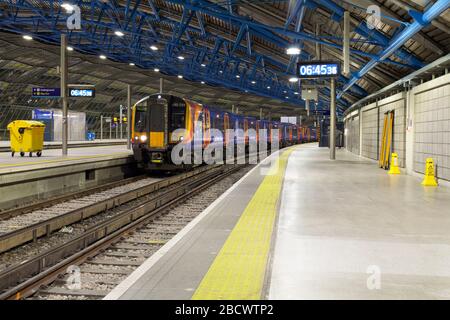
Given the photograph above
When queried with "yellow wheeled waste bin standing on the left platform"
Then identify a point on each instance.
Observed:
(26, 136)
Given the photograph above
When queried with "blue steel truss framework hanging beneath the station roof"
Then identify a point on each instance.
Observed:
(179, 36)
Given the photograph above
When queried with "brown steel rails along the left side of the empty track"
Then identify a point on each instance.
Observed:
(48, 266)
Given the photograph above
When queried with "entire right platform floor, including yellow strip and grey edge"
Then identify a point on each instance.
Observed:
(312, 229)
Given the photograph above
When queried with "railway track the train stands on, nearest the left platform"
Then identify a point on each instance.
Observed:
(29, 223)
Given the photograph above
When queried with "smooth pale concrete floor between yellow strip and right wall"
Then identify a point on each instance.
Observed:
(348, 230)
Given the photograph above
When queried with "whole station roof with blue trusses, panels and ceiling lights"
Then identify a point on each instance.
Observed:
(237, 45)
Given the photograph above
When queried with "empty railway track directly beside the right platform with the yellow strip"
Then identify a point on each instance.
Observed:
(113, 248)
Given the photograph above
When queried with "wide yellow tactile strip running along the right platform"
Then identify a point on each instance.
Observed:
(237, 272)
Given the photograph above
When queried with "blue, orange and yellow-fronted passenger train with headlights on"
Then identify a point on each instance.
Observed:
(157, 120)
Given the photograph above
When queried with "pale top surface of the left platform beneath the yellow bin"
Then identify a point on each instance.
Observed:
(53, 157)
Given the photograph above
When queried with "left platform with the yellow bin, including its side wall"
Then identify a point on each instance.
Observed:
(27, 178)
